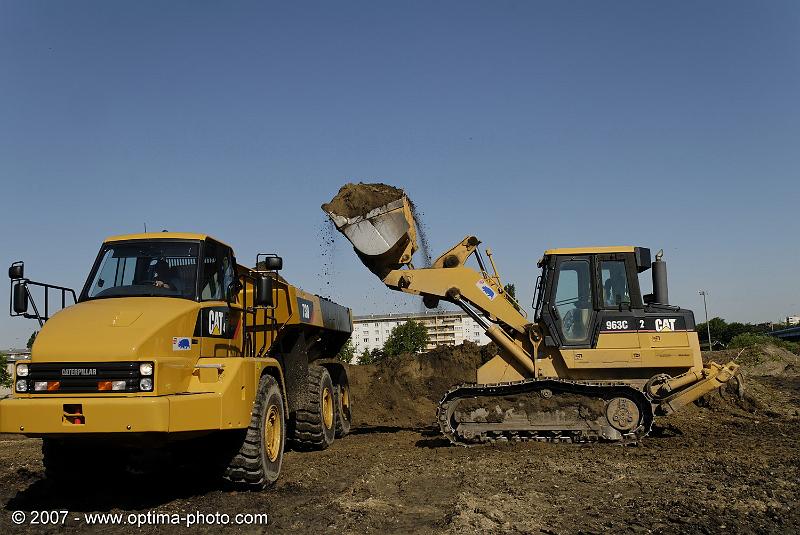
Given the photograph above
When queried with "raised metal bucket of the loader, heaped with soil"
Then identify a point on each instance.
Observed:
(384, 237)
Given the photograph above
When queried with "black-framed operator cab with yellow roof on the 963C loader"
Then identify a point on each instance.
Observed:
(583, 290)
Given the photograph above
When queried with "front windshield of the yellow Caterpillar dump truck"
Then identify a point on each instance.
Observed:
(153, 268)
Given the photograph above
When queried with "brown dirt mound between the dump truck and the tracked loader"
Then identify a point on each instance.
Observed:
(403, 391)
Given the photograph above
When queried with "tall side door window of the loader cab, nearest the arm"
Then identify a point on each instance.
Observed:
(573, 300)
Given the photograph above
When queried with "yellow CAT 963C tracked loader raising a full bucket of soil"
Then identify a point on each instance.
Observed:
(598, 361)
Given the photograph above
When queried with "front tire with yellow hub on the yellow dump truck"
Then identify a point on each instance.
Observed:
(257, 464)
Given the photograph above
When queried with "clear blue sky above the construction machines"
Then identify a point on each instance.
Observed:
(530, 124)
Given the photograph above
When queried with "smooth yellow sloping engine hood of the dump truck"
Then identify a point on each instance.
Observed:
(120, 329)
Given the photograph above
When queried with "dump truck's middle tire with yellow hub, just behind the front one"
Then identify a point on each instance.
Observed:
(314, 424)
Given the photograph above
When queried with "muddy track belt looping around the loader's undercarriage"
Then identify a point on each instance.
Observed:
(557, 386)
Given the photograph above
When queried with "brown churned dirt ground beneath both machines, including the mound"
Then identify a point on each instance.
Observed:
(723, 467)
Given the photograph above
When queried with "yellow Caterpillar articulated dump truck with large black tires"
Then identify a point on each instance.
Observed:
(172, 346)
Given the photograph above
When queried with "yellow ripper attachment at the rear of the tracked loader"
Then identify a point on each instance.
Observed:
(673, 394)
